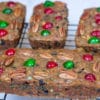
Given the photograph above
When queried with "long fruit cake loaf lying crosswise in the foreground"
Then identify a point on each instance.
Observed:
(51, 73)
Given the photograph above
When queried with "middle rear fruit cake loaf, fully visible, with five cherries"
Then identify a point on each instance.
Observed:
(48, 25)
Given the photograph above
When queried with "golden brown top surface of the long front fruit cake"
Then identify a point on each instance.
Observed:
(63, 67)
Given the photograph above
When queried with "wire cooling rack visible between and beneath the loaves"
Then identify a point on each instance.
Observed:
(70, 44)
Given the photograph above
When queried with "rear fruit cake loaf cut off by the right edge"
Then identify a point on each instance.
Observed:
(88, 33)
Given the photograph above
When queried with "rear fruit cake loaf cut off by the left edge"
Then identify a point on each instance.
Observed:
(12, 15)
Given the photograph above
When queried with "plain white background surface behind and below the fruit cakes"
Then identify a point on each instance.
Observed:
(75, 7)
